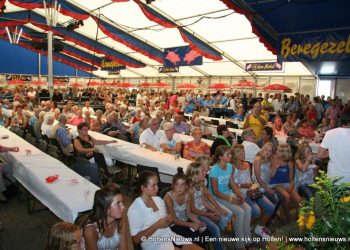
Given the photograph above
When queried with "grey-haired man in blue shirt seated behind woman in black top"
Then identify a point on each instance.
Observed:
(61, 134)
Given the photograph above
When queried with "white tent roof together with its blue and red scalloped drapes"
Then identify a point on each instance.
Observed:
(135, 34)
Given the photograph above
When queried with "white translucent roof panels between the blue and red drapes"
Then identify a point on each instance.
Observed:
(228, 32)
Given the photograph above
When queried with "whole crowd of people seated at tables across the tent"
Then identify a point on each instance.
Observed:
(282, 171)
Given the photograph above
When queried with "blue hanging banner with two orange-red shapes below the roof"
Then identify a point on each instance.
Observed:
(181, 56)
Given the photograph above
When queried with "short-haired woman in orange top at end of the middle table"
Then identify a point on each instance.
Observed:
(196, 148)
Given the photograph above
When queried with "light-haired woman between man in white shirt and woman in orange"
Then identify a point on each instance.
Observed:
(170, 142)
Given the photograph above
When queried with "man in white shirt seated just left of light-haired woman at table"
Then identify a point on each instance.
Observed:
(150, 137)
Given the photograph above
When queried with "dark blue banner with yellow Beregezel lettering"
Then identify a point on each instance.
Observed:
(320, 46)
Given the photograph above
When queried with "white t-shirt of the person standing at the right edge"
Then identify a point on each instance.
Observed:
(337, 141)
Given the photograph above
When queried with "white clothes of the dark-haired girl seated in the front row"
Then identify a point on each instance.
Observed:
(142, 217)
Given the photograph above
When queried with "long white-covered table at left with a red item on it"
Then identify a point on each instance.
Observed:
(64, 198)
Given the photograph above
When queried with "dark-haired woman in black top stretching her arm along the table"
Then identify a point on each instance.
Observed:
(84, 144)
